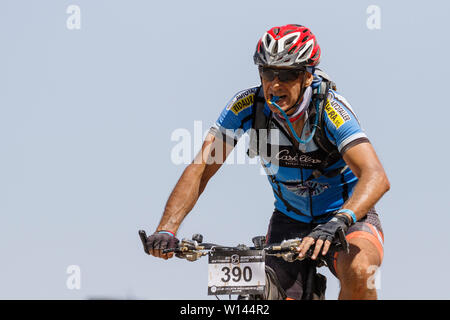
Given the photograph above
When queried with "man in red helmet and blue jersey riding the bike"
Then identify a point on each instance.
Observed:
(318, 189)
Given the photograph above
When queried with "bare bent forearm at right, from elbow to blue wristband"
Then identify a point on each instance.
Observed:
(372, 185)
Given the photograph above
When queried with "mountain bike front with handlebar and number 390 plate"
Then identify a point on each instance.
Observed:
(240, 270)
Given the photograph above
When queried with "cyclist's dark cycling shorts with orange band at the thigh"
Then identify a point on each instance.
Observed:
(291, 274)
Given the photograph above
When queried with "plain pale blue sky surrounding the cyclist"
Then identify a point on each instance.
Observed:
(86, 118)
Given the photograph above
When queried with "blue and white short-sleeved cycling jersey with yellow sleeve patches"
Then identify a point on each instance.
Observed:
(297, 193)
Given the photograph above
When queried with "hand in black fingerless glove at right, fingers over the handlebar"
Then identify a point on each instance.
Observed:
(323, 235)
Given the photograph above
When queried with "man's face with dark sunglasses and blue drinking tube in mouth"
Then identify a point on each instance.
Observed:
(288, 90)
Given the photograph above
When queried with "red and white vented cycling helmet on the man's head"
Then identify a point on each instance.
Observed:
(291, 45)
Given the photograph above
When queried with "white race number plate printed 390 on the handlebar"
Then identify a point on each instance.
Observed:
(236, 272)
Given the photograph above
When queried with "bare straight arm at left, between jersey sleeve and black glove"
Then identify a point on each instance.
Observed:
(191, 184)
